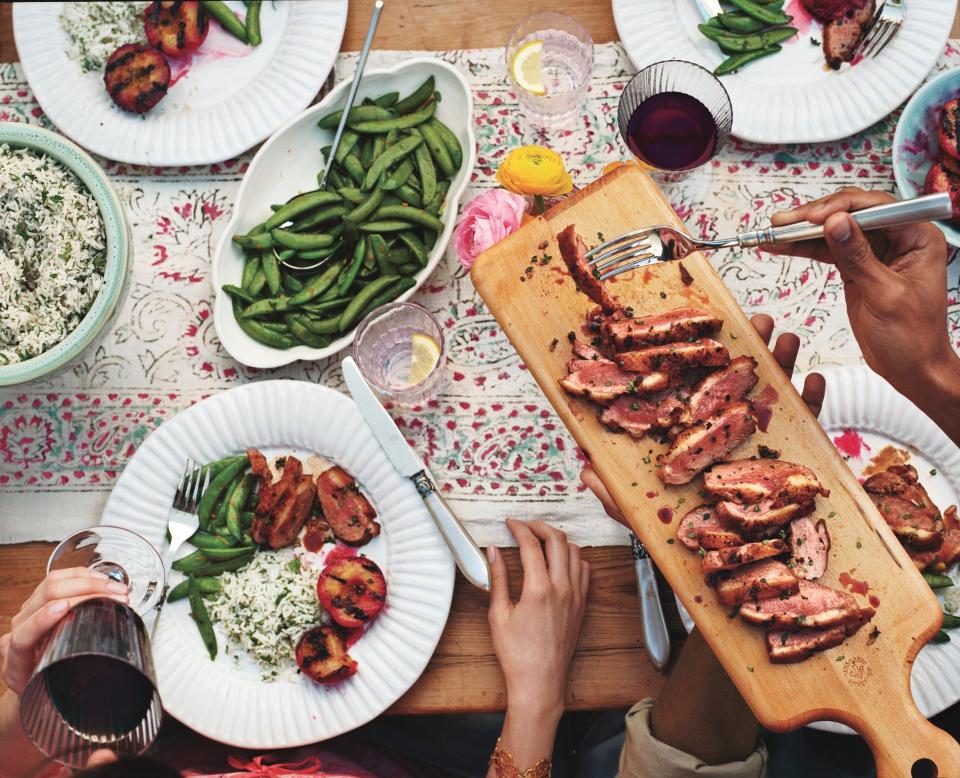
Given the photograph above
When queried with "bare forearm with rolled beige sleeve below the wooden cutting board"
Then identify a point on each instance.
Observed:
(700, 711)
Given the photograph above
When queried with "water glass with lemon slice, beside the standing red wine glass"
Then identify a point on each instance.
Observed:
(566, 63)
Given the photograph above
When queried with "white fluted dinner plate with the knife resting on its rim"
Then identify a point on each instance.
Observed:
(227, 700)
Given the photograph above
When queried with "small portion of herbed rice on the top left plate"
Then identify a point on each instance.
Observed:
(96, 30)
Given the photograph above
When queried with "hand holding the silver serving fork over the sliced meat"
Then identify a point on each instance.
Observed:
(895, 286)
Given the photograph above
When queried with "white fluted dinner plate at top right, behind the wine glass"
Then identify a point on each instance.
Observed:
(792, 96)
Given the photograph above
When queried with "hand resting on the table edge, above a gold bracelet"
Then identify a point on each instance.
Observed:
(534, 638)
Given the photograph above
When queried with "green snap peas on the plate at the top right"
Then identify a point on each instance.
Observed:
(748, 30)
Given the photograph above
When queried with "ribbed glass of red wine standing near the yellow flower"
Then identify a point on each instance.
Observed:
(674, 116)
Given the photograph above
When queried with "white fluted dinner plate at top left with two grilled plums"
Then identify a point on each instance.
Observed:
(229, 98)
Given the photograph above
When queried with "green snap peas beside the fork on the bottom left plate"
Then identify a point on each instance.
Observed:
(223, 540)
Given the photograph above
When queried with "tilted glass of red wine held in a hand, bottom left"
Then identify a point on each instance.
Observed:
(94, 687)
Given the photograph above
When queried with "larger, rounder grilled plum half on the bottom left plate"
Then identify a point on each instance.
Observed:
(352, 590)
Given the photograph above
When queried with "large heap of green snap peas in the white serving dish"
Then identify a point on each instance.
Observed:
(372, 225)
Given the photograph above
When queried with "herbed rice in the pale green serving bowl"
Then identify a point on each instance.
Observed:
(52, 253)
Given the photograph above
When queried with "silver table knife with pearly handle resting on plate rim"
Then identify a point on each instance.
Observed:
(471, 561)
